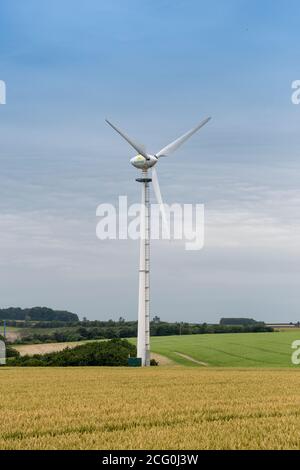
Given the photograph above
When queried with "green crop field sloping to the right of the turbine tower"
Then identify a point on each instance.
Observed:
(229, 350)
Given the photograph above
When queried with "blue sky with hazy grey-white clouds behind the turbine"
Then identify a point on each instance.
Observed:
(156, 68)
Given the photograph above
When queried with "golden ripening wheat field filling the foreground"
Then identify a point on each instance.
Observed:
(156, 408)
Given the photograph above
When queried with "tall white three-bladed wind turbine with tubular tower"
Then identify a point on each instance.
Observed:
(145, 161)
